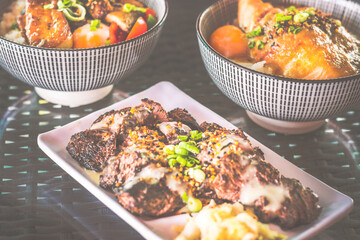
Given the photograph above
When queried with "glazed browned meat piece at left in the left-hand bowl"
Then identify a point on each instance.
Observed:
(46, 27)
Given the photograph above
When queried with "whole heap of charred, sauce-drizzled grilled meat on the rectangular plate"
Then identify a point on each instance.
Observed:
(128, 145)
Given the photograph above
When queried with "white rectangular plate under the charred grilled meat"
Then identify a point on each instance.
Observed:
(335, 204)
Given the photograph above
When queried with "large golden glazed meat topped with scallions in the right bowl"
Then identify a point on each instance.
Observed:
(304, 43)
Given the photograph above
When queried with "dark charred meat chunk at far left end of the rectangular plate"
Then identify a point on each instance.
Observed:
(91, 148)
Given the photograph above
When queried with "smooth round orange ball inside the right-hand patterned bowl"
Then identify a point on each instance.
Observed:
(229, 41)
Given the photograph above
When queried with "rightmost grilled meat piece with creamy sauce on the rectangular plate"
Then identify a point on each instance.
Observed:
(243, 175)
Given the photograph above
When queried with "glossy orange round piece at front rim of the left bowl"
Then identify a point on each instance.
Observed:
(85, 38)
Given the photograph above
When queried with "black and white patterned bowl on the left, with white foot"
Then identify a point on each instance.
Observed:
(79, 76)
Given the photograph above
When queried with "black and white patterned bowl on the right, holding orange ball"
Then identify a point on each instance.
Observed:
(277, 103)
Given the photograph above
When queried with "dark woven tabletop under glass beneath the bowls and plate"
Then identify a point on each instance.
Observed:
(38, 200)
